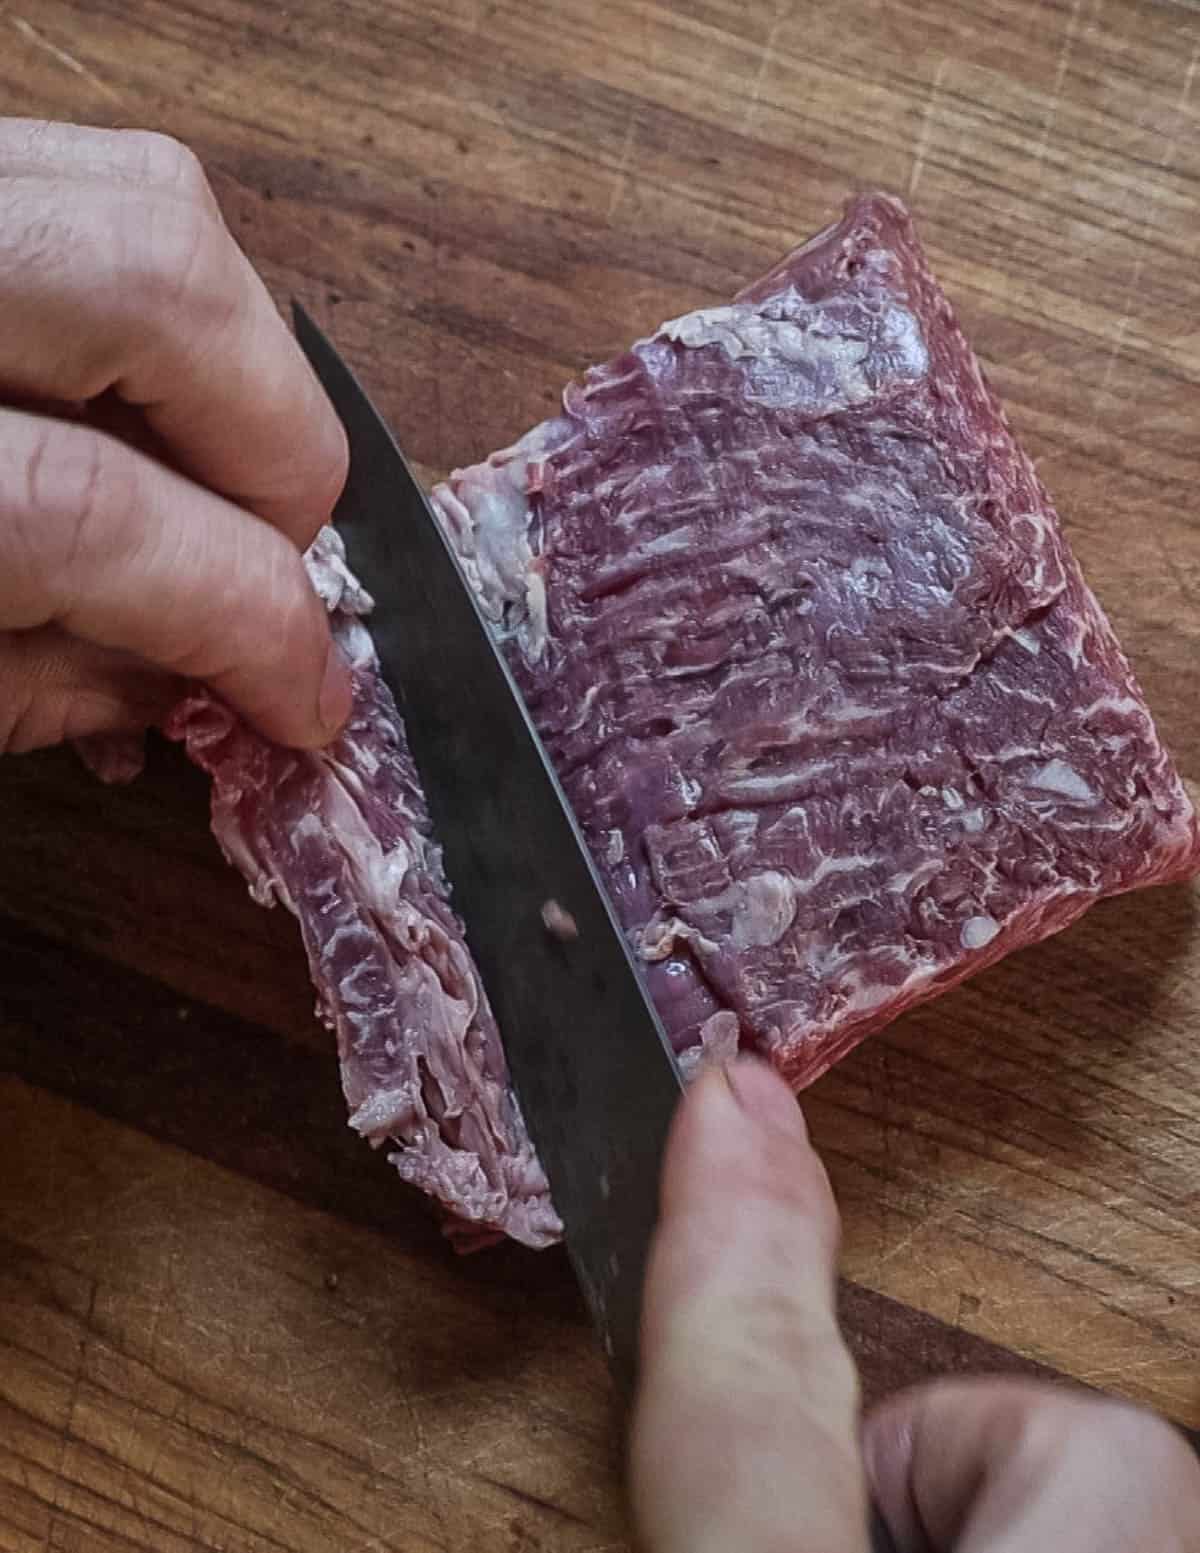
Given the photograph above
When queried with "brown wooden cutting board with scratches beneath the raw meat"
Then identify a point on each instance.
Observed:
(223, 1322)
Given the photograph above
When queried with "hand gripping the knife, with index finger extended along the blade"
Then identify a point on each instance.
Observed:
(746, 1434)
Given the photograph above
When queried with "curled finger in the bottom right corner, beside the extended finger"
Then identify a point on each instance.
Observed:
(1005, 1467)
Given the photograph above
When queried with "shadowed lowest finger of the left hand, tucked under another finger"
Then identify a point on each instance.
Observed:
(55, 687)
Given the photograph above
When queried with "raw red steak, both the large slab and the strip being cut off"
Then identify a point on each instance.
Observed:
(824, 683)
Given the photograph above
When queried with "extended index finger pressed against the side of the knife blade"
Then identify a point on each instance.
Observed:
(744, 1433)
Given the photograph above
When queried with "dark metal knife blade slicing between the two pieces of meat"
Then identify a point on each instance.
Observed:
(591, 1063)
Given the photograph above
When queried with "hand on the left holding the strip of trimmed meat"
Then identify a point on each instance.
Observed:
(130, 307)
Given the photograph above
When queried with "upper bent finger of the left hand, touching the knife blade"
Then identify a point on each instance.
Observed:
(119, 288)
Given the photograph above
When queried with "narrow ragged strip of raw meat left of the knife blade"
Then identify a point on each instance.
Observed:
(342, 839)
